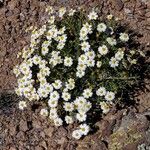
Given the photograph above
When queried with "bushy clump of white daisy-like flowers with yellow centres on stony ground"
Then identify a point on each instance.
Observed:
(74, 62)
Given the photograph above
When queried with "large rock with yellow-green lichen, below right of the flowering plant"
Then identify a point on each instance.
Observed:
(130, 133)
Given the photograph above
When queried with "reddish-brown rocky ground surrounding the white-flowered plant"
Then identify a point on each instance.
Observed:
(125, 129)
